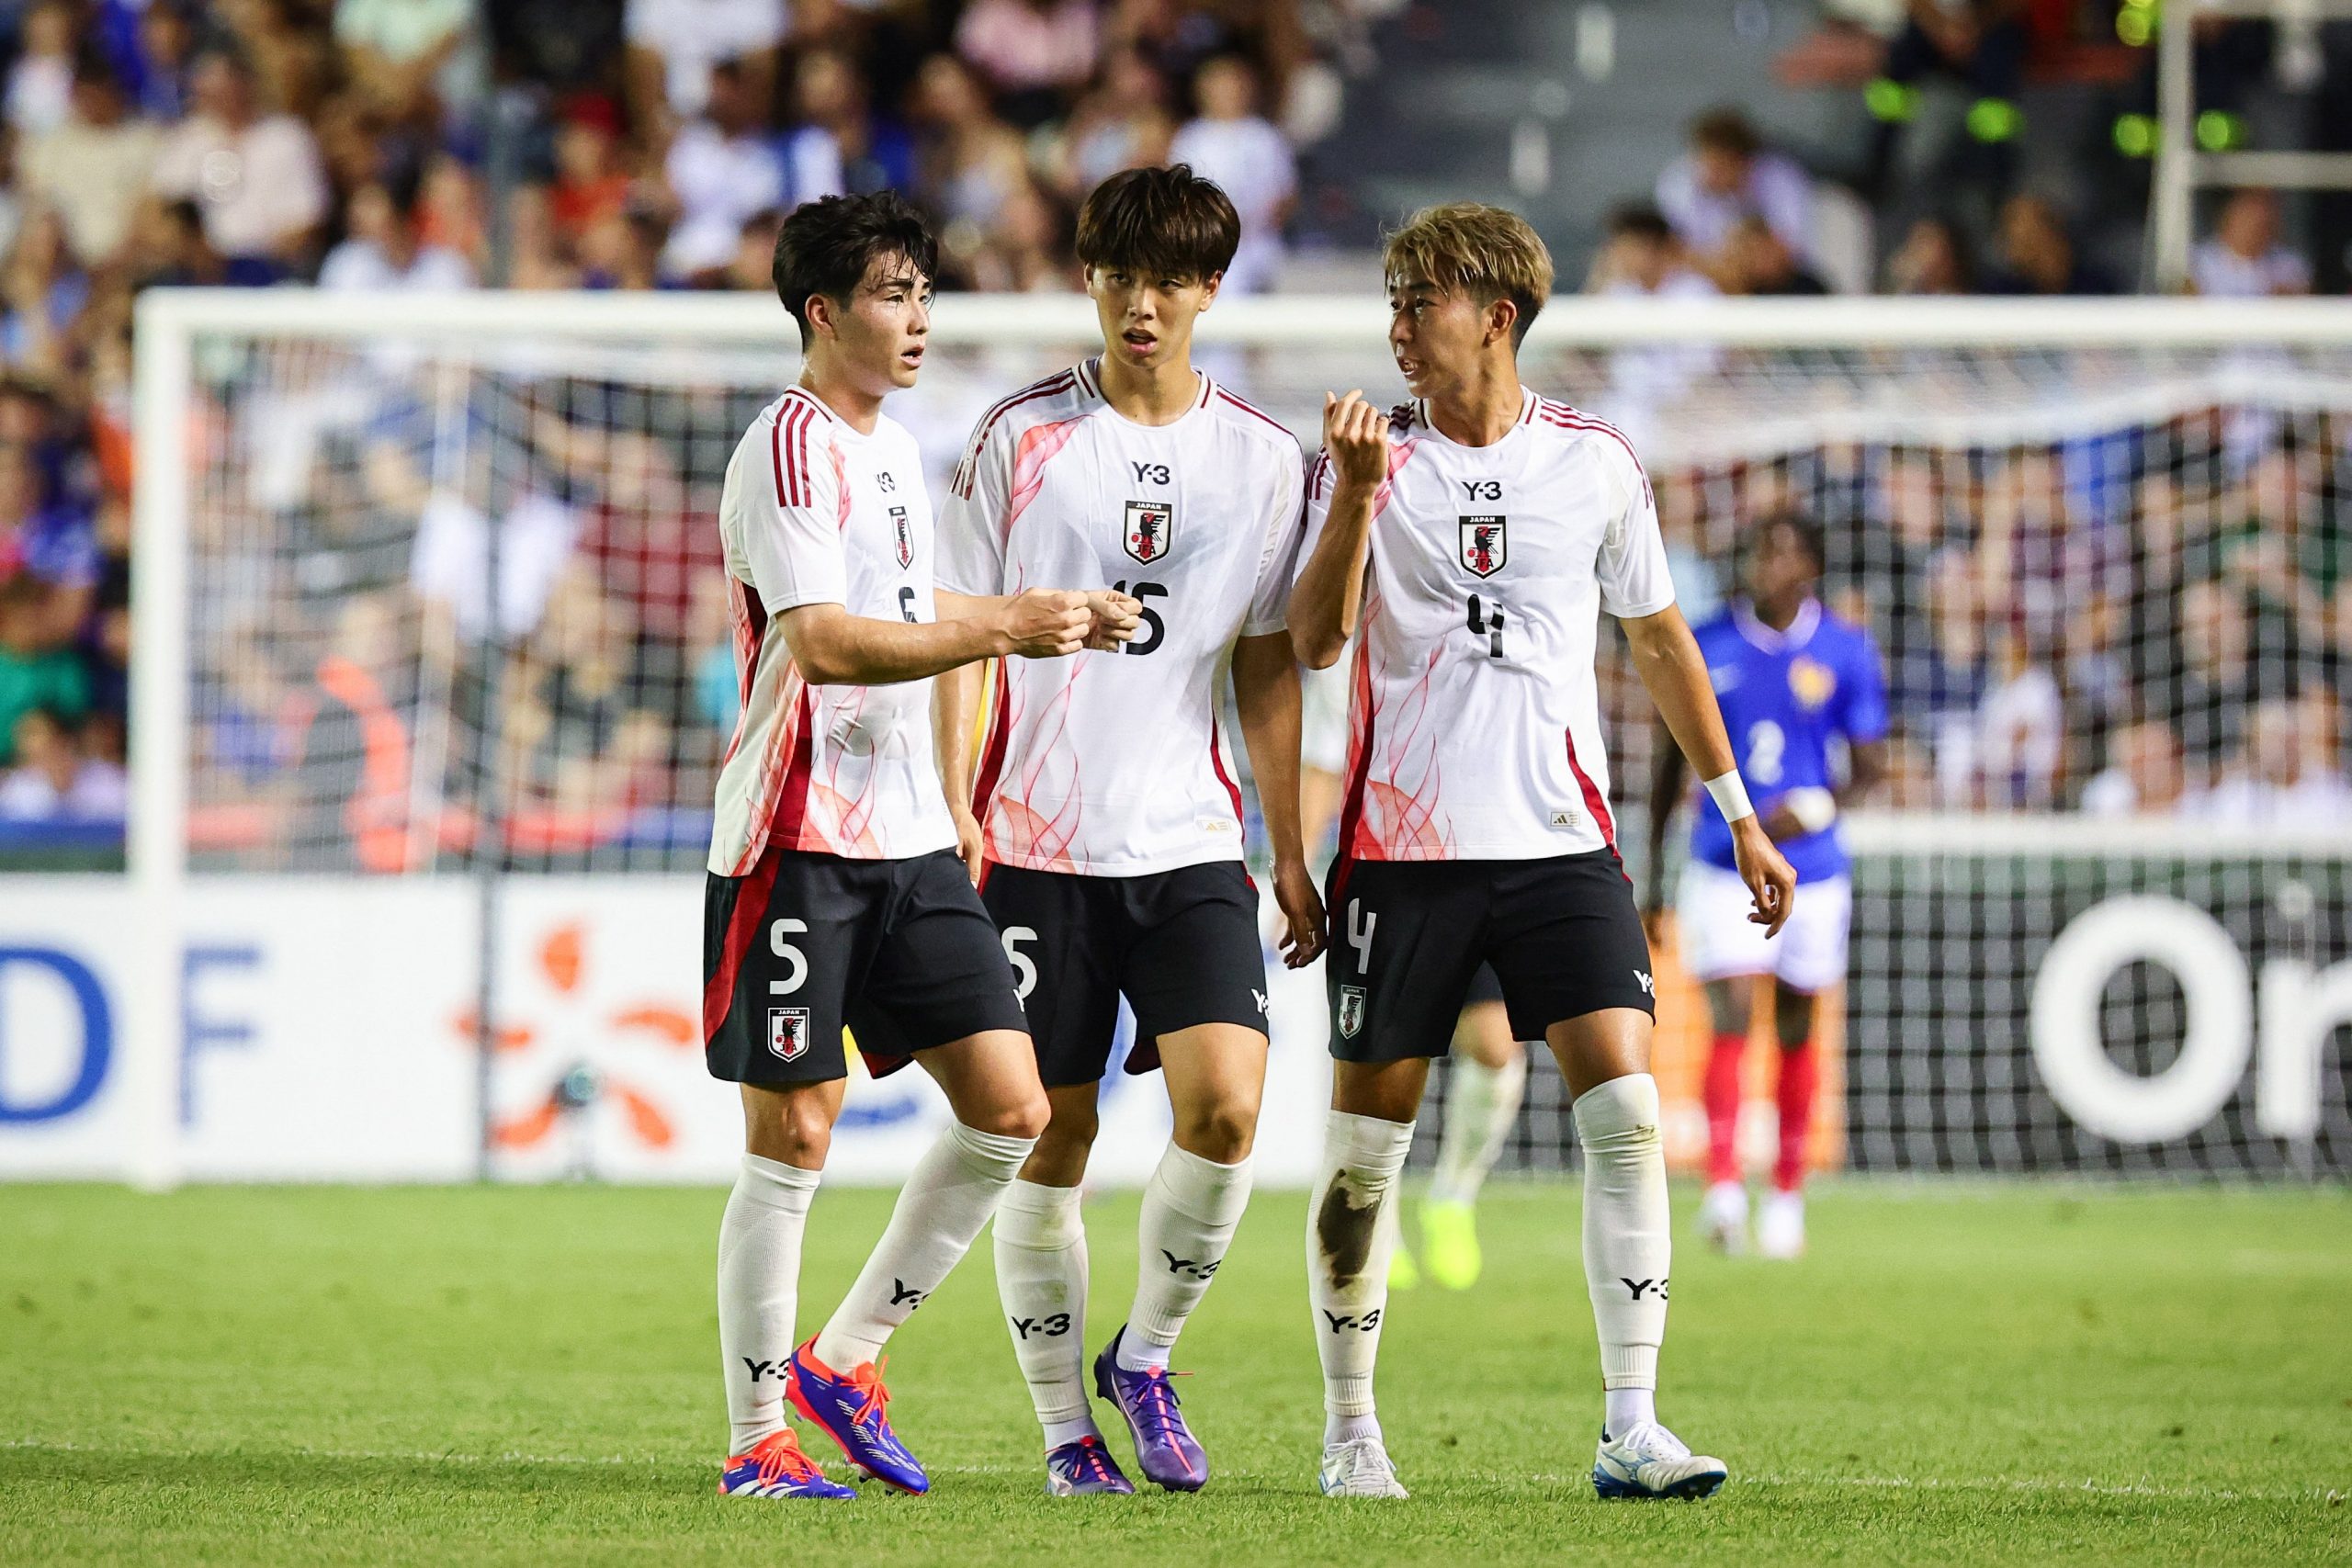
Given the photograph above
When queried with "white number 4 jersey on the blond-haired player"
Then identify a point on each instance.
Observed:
(1474, 721)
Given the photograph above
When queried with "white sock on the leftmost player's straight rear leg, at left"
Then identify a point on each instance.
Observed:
(759, 1292)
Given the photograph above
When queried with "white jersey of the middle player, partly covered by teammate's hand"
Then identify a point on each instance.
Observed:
(1111, 763)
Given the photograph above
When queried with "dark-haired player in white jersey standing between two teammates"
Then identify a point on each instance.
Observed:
(1104, 815)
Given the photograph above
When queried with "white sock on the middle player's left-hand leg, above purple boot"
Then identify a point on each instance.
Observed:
(1043, 1285)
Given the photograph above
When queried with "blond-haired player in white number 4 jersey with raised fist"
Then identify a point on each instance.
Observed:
(1474, 537)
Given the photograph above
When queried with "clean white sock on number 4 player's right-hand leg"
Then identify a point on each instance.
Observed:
(1626, 1238)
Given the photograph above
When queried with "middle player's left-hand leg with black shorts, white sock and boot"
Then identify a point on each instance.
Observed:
(1041, 1233)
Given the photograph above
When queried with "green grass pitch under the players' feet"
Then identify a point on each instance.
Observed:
(528, 1376)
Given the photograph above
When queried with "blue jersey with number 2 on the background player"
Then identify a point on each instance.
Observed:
(1786, 697)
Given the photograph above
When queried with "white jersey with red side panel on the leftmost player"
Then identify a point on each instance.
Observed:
(815, 514)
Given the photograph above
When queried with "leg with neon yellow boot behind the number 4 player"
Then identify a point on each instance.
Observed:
(1485, 1087)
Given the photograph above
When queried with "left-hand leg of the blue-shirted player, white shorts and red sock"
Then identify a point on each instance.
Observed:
(1725, 953)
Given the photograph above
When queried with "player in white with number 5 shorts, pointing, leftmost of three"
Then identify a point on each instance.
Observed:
(836, 894)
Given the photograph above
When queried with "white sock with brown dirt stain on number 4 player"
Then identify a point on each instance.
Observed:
(1349, 1252)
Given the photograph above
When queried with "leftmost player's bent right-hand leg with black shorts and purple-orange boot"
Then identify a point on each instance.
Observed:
(940, 991)
